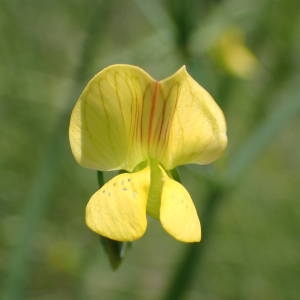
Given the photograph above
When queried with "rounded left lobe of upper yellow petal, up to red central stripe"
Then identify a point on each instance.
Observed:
(106, 123)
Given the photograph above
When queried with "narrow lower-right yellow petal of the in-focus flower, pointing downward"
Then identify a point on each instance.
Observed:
(178, 214)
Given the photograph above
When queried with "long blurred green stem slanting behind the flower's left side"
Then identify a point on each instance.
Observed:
(39, 196)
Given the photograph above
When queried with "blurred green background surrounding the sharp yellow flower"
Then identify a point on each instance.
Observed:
(246, 53)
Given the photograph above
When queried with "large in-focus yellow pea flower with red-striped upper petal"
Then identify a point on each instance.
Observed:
(126, 120)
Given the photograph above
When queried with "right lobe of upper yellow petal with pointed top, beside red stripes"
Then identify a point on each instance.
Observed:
(195, 126)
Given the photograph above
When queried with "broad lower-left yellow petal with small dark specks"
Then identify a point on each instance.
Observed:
(118, 209)
